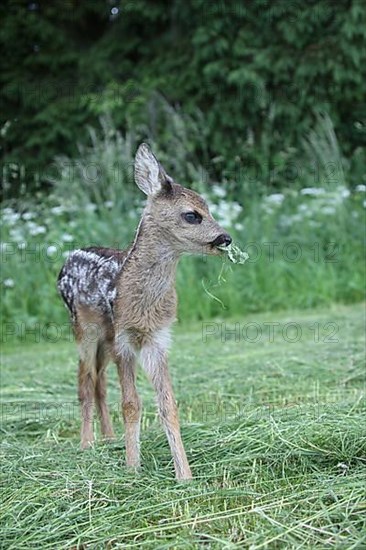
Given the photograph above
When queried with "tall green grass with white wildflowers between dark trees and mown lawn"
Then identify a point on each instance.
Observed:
(305, 242)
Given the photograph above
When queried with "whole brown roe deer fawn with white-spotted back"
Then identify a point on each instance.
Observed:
(122, 304)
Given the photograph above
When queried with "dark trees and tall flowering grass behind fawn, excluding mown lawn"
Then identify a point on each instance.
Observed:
(258, 105)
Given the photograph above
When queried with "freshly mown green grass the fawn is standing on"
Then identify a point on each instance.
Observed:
(274, 432)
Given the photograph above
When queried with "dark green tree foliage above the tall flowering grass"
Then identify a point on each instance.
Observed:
(259, 71)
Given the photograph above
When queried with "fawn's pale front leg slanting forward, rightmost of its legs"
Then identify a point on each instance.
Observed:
(154, 362)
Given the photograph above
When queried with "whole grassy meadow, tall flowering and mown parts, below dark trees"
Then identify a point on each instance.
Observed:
(267, 364)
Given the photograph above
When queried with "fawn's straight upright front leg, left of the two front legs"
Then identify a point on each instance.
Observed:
(131, 408)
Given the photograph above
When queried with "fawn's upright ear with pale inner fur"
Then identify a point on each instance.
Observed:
(150, 176)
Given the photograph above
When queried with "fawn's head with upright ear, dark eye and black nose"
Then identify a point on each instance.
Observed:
(181, 216)
